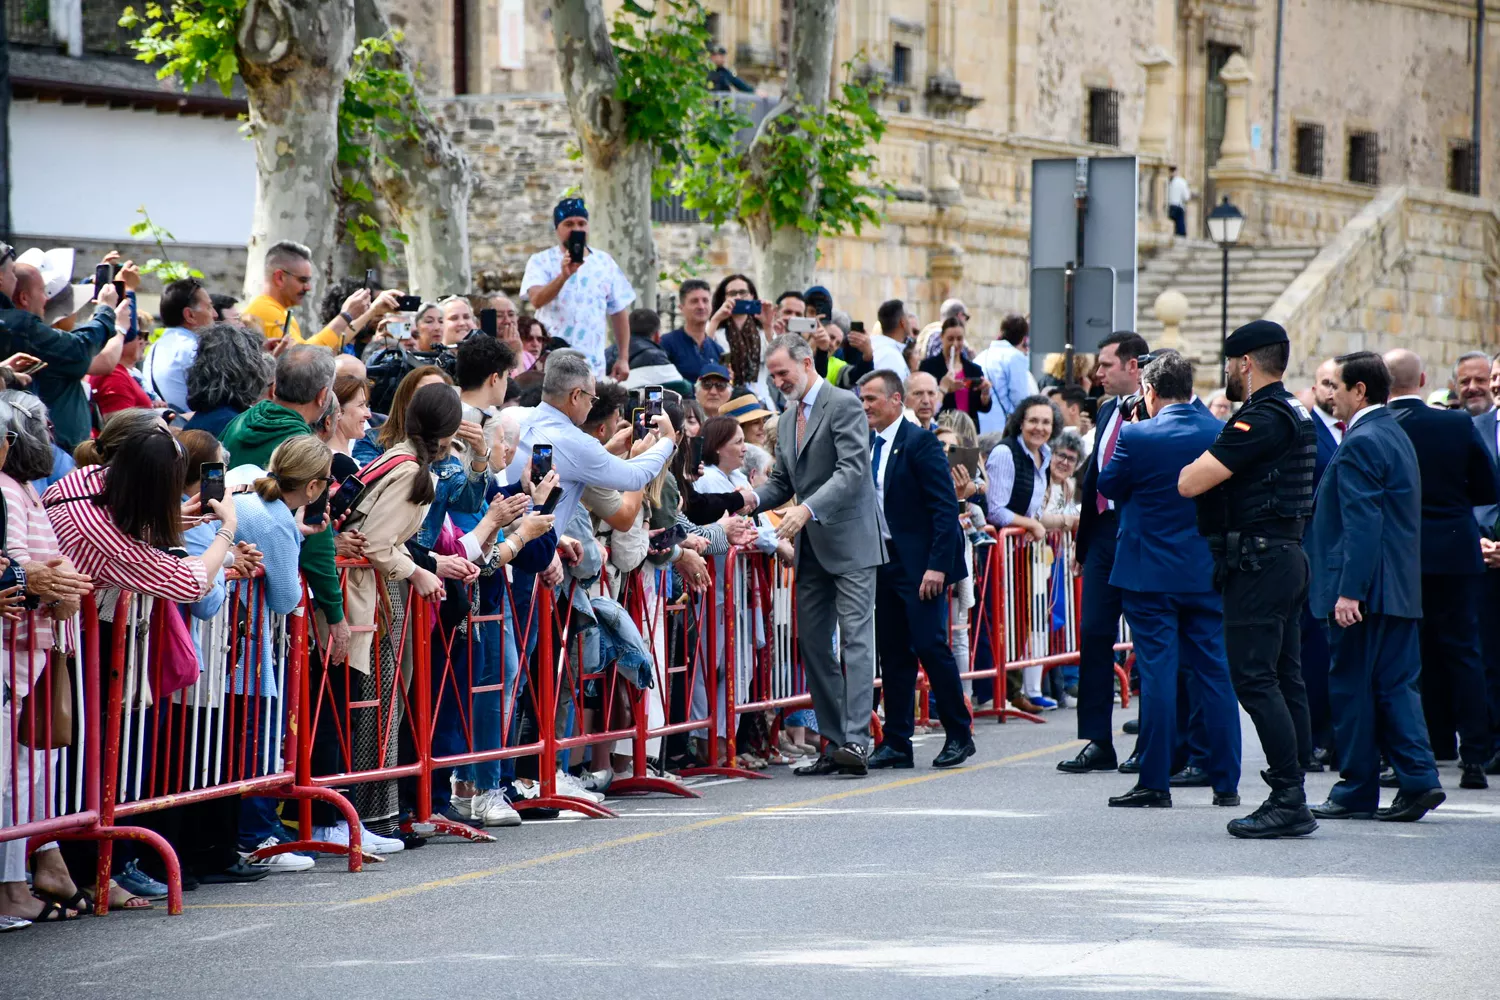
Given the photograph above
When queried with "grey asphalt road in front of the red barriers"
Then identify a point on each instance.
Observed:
(1004, 879)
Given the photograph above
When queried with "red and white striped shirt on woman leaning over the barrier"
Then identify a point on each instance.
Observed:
(98, 548)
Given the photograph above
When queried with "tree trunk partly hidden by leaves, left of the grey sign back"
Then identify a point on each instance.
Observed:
(785, 257)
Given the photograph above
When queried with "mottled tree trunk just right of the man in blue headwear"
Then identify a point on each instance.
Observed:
(617, 175)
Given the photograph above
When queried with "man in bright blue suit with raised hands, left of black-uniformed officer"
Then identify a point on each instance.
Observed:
(1166, 575)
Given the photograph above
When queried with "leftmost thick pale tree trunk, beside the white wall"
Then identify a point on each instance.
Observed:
(293, 59)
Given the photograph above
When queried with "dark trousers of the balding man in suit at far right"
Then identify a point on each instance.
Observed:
(1453, 669)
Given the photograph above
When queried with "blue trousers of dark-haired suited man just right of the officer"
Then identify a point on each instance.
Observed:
(1376, 707)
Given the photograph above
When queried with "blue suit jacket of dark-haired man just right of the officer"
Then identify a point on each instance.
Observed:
(1366, 539)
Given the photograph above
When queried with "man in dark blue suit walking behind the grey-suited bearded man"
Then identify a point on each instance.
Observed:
(920, 519)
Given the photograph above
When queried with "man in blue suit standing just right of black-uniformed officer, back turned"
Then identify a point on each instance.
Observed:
(1366, 548)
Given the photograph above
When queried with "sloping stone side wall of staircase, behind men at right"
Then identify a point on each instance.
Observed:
(1414, 269)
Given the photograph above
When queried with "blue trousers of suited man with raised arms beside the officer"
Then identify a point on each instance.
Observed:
(1180, 635)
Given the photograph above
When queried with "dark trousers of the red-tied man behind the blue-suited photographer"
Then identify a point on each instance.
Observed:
(1102, 624)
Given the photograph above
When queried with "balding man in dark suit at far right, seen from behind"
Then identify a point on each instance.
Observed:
(1457, 476)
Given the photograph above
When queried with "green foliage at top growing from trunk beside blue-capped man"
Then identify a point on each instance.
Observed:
(664, 71)
